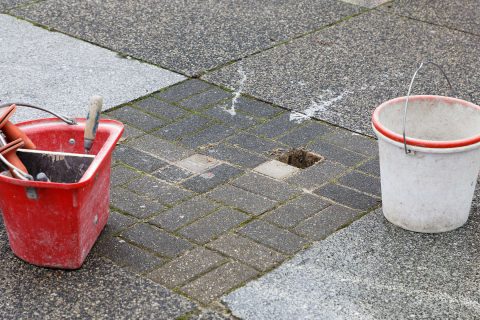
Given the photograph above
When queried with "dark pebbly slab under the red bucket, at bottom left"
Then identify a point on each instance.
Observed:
(98, 290)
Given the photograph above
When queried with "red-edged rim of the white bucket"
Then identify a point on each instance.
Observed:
(420, 142)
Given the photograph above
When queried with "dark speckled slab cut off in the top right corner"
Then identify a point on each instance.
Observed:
(462, 15)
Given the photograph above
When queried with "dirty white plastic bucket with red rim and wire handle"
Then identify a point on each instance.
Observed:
(431, 188)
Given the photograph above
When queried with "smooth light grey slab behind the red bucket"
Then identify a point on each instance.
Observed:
(60, 73)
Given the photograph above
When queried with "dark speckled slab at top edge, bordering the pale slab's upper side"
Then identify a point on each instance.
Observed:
(187, 36)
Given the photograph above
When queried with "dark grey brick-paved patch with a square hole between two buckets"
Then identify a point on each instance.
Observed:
(201, 205)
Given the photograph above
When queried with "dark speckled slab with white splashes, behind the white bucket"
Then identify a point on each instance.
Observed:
(341, 73)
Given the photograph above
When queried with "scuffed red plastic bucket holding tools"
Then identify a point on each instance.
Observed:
(53, 224)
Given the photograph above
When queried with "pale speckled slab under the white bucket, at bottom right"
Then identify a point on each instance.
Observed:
(372, 270)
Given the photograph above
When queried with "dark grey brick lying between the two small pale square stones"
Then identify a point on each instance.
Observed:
(236, 156)
